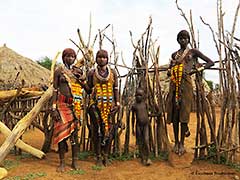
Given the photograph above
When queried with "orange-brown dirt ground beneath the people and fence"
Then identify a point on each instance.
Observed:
(177, 168)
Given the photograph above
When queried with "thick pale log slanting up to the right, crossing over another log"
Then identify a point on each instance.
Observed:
(21, 126)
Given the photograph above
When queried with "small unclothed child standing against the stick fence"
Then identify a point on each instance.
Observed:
(139, 109)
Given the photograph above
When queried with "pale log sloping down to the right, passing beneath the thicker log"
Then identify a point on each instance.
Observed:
(20, 144)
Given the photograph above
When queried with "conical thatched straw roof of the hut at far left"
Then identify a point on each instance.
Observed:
(14, 68)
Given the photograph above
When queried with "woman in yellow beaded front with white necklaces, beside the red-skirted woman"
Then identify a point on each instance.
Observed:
(102, 84)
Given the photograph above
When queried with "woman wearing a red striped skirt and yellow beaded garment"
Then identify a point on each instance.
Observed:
(66, 108)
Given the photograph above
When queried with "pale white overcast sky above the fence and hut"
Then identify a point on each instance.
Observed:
(36, 29)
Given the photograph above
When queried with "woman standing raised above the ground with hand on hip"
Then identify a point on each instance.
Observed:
(180, 97)
